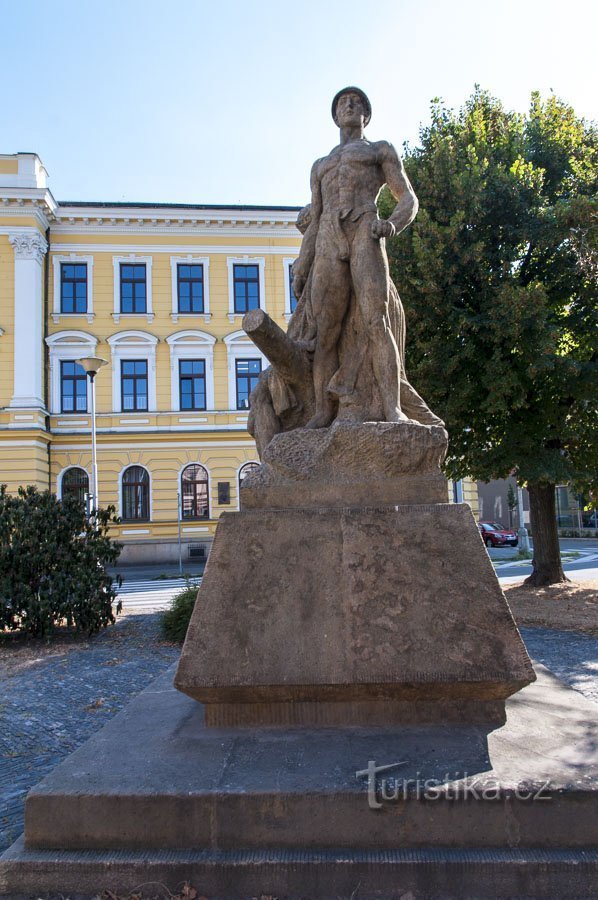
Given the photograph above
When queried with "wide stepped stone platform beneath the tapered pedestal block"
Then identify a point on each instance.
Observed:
(156, 796)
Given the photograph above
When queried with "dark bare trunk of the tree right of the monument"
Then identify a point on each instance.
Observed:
(547, 555)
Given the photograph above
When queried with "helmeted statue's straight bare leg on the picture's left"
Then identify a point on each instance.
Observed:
(330, 292)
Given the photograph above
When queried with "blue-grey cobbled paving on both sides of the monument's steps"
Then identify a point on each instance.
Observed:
(51, 705)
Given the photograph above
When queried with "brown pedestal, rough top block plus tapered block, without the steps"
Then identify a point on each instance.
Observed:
(318, 607)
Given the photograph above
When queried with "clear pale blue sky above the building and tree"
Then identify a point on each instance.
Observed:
(229, 102)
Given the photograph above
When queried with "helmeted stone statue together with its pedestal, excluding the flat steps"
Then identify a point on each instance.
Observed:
(337, 594)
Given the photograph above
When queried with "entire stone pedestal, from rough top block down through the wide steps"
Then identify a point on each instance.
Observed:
(348, 657)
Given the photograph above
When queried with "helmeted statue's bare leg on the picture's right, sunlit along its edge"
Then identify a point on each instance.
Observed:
(371, 279)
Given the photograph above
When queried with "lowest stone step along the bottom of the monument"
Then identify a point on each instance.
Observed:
(423, 873)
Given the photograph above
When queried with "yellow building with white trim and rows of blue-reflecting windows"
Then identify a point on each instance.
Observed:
(159, 291)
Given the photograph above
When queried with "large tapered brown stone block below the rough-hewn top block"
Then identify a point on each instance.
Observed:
(306, 606)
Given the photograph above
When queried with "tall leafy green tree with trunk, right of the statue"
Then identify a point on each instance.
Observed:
(496, 275)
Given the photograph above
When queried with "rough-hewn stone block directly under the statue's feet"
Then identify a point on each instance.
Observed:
(350, 464)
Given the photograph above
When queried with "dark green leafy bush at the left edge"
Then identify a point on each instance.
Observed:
(53, 564)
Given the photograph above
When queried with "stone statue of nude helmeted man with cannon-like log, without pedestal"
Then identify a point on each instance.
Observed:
(343, 356)
